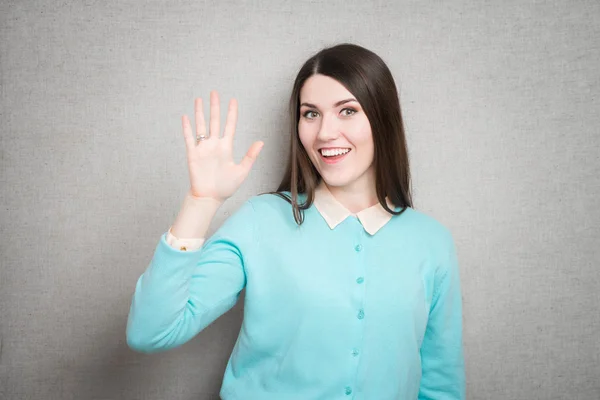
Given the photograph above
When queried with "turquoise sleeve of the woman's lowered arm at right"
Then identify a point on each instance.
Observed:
(442, 360)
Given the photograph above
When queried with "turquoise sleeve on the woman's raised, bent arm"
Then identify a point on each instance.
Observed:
(182, 292)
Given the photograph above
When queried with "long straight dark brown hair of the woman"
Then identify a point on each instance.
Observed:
(365, 75)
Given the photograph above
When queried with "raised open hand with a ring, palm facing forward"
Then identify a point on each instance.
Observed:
(213, 172)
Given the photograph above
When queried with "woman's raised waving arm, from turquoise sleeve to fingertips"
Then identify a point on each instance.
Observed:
(181, 292)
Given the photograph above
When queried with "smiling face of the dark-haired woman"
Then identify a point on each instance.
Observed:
(336, 134)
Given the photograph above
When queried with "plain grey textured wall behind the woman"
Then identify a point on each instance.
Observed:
(501, 102)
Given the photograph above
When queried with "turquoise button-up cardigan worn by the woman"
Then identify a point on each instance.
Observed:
(328, 313)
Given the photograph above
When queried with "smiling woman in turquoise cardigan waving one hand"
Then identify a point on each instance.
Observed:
(350, 292)
